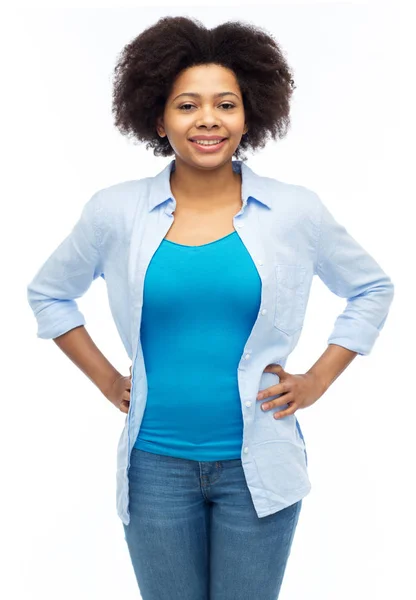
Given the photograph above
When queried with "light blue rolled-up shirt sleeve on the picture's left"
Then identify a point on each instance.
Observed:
(66, 275)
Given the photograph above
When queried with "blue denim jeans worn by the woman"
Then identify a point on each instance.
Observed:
(194, 533)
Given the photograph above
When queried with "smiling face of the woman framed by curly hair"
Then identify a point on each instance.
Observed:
(204, 100)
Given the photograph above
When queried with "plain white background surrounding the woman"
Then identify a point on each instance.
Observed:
(351, 140)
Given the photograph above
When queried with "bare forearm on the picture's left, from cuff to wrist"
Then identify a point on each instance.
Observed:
(80, 348)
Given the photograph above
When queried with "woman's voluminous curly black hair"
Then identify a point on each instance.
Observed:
(147, 67)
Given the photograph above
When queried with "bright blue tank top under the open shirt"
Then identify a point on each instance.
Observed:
(199, 306)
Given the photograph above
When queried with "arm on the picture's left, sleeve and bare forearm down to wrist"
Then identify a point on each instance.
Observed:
(66, 275)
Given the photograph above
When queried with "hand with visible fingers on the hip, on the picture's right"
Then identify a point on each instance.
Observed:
(299, 391)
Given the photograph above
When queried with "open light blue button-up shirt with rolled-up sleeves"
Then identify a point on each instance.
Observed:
(290, 236)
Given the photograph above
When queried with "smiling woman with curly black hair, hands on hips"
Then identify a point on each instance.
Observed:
(208, 269)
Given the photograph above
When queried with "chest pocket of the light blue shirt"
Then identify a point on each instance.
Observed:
(290, 298)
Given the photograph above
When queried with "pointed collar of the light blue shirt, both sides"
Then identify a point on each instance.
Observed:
(253, 185)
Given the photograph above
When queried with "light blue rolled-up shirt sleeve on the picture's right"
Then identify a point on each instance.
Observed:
(352, 273)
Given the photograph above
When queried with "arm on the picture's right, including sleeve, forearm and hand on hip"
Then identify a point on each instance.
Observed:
(349, 272)
